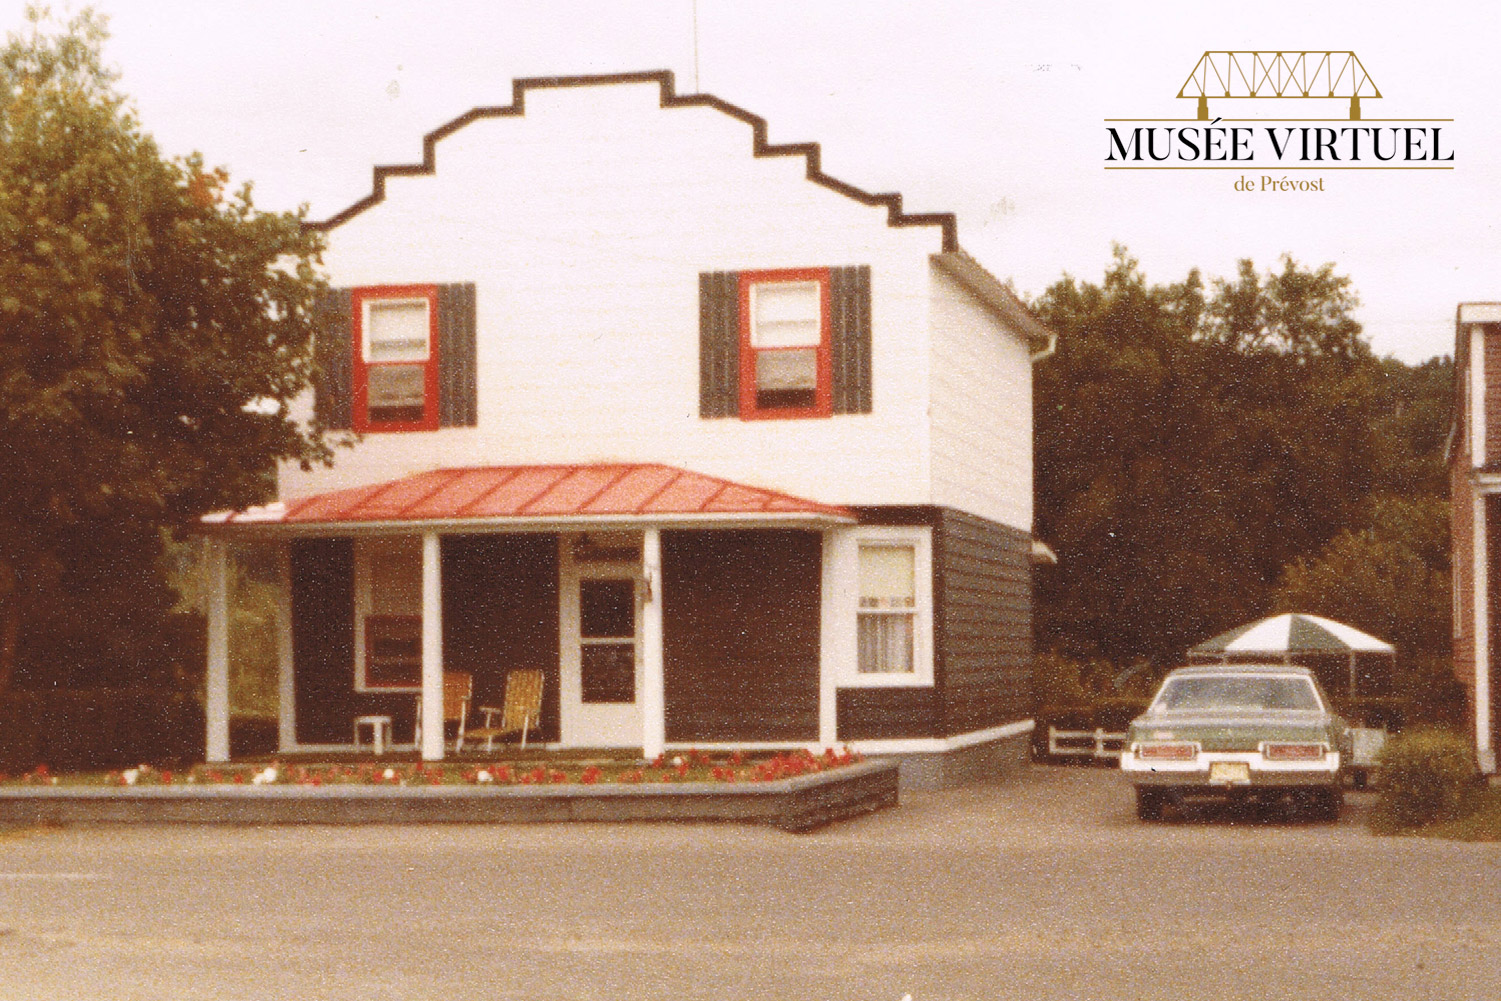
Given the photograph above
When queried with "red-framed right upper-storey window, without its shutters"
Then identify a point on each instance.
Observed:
(784, 344)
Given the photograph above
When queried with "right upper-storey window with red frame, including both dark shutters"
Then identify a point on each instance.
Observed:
(790, 343)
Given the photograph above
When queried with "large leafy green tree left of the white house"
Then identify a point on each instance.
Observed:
(155, 326)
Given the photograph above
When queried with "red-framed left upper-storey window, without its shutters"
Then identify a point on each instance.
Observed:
(397, 367)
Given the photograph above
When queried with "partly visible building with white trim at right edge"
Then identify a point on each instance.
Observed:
(1475, 484)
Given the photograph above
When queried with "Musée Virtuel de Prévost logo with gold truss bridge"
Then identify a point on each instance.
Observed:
(1280, 112)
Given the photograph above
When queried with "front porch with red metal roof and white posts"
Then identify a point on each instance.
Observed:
(663, 609)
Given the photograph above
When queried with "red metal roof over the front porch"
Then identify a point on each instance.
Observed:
(537, 497)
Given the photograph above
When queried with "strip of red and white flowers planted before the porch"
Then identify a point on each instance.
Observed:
(693, 766)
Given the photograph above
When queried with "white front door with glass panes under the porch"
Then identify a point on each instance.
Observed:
(601, 640)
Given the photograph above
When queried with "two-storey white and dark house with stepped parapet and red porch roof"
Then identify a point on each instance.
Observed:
(735, 452)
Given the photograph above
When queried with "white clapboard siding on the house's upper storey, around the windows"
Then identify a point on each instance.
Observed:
(585, 226)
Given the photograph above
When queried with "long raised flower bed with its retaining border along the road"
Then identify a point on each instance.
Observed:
(793, 792)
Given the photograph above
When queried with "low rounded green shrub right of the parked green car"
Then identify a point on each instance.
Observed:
(1428, 775)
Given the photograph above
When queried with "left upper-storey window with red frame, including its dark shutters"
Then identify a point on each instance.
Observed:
(397, 358)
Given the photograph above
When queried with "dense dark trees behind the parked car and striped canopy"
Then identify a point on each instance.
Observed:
(1196, 443)
